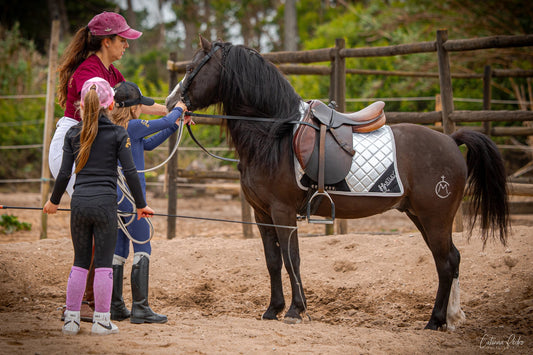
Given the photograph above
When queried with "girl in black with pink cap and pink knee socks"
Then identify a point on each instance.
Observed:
(94, 145)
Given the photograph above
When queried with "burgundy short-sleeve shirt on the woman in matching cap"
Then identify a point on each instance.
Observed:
(89, 68)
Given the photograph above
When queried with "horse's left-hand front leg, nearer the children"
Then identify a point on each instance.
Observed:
(274, 264)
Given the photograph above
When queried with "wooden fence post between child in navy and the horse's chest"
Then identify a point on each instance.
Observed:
(172, 186)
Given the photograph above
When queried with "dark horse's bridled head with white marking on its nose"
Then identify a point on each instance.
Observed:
(199, 86)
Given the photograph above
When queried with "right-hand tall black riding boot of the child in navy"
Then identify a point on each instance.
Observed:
(140, 310)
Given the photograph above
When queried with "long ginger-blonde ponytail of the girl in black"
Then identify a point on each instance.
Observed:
(89, 129)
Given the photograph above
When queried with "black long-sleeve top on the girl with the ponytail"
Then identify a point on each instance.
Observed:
(99, 175)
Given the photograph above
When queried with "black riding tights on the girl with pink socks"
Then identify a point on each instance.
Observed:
(93, 216)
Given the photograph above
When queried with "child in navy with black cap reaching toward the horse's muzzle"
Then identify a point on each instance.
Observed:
(144, 135)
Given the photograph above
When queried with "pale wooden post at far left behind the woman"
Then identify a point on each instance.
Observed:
(48, 122)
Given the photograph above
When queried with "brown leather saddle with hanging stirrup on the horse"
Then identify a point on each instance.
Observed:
(323, 143)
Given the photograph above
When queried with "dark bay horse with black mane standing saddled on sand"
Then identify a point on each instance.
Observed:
(243, 83)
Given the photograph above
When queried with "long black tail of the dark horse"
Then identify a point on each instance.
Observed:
(487, 184)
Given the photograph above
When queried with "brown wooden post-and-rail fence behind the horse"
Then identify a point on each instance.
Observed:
(337, 71)
